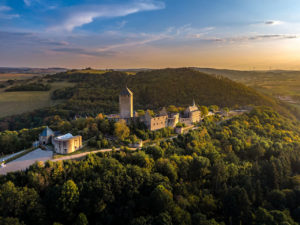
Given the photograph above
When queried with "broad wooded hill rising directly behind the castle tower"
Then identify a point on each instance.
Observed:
(158, 88)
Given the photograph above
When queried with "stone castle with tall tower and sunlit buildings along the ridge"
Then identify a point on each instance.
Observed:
(164, 119)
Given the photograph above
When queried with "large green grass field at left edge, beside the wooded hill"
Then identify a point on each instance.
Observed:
(12, 103)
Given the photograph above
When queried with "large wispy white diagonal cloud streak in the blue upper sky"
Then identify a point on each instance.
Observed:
(78, 16)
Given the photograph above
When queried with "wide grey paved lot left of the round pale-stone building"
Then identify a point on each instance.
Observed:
(27, 160)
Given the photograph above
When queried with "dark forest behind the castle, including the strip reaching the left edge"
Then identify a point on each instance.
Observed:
(98, 93)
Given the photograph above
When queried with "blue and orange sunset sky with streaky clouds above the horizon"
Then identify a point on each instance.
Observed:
(109, 34)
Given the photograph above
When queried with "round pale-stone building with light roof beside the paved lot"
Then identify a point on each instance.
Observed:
(67, 143)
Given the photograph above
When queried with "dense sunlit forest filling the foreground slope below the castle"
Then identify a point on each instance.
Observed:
(241, 171)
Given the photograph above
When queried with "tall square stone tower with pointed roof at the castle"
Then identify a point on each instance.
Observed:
(126, 103)
